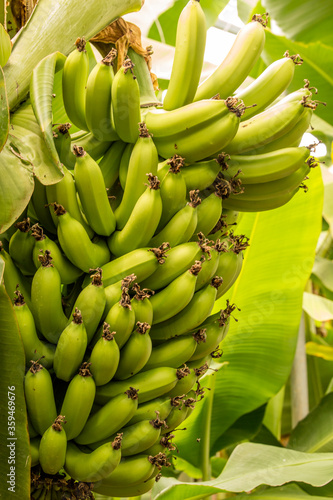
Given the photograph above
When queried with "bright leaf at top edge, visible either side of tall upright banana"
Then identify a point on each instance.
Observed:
(164, 29)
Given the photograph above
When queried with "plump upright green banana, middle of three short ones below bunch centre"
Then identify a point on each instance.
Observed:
(104, 357)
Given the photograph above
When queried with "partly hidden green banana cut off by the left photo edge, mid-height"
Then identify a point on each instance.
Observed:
(12, 277)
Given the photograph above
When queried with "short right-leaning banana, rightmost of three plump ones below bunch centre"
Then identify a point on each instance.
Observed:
(135, 353)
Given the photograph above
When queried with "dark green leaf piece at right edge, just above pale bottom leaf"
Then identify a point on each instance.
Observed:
(315, 432)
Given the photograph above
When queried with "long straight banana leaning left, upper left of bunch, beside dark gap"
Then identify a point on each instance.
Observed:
(90, 185)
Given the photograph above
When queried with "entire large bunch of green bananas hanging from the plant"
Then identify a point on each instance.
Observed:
(114, 271)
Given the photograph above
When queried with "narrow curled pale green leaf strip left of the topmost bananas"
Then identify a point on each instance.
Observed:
(41, 89)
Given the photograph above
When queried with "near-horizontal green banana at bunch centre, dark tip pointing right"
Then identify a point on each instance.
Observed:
(142, 262)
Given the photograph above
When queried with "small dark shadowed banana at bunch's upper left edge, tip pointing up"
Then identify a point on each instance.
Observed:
(20, 247)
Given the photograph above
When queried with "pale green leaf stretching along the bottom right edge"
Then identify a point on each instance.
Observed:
(251, 465)
